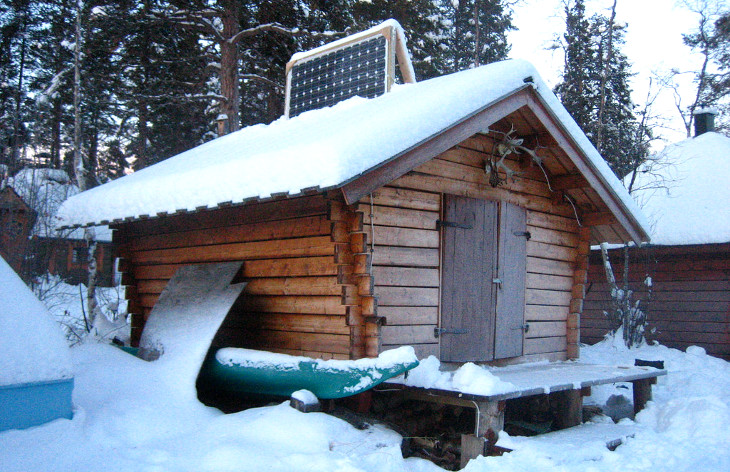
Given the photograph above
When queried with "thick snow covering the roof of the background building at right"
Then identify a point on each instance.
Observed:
(685, 192)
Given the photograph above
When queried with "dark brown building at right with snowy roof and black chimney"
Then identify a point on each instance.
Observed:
(688, 260)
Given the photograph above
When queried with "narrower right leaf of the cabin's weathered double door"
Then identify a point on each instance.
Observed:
(511, 273)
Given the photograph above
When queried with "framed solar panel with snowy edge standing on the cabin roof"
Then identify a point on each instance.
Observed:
(361, 65)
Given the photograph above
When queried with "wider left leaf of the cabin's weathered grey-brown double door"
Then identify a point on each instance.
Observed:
(469, 267)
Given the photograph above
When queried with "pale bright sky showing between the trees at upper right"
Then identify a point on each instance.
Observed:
(653, 45)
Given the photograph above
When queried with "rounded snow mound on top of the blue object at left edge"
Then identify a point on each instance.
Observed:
(33, 346)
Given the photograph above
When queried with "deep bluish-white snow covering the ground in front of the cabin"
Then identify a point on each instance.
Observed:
(131, 415)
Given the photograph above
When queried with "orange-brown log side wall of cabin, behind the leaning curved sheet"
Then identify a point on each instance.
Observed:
(293, 302)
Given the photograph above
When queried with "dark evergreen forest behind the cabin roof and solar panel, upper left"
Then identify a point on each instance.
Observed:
(155, 74)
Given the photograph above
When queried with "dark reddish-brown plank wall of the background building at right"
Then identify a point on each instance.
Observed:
(690, 301)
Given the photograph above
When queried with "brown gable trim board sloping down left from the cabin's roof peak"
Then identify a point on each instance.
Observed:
(389, 170)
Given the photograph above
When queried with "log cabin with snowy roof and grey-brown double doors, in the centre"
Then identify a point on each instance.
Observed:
(454, 215)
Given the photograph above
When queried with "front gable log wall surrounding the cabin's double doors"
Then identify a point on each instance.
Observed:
(406, 259)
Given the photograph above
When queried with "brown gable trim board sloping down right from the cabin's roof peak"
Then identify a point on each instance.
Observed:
(587, 169)
